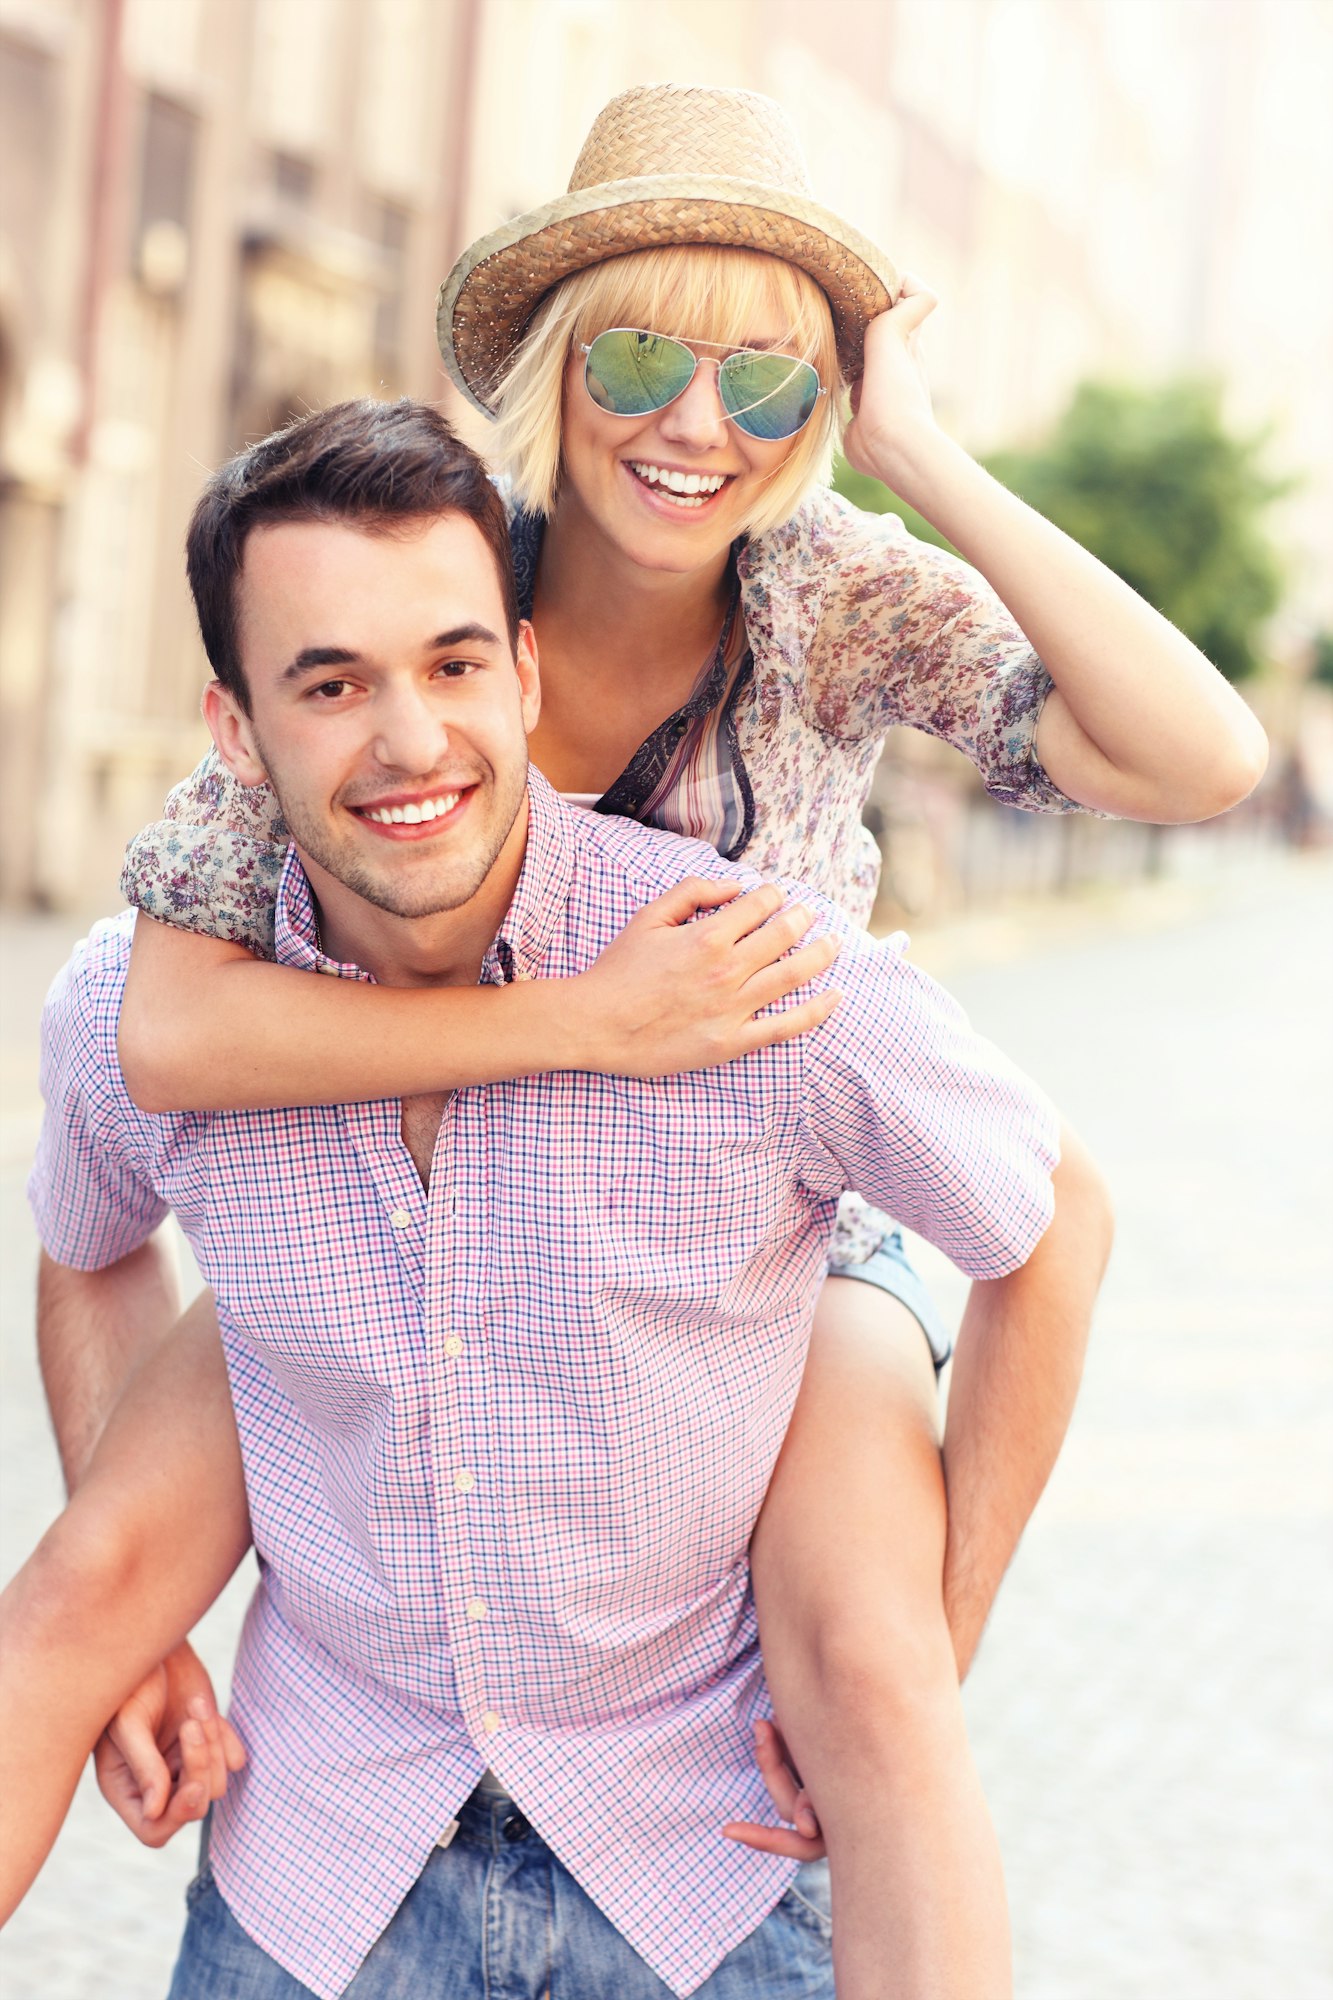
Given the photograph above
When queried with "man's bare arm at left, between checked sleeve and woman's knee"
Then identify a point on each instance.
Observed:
(93, 1331)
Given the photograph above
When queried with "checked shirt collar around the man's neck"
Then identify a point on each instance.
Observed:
(529, 923)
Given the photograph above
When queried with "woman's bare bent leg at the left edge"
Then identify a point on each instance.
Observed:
(141, 1551)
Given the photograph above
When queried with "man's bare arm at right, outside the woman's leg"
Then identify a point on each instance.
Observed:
(1014, 1391)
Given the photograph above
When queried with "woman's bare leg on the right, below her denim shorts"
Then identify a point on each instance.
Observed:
(850, 1587)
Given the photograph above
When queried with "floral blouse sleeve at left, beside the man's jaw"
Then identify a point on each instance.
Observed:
(213, 861)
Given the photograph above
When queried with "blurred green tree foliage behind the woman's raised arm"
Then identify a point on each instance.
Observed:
(1154, 485)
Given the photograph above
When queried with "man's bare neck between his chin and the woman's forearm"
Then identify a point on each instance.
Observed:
(445, 949)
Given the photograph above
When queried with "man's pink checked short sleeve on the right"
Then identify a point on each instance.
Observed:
(912, 1107)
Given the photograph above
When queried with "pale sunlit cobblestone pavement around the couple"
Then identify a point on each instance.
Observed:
(1152, 1707)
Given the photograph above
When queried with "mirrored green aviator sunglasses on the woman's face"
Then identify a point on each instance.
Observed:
(633, 373)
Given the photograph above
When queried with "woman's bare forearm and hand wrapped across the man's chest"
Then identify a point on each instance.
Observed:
(209, 1027)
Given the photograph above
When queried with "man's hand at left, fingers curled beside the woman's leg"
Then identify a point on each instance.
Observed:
(167, 1755)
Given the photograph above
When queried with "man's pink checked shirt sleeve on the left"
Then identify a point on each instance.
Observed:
(91, 1189)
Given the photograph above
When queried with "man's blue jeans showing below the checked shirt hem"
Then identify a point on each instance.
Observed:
(495, 1917)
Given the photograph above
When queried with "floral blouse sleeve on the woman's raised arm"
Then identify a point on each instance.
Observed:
(914, 635)
